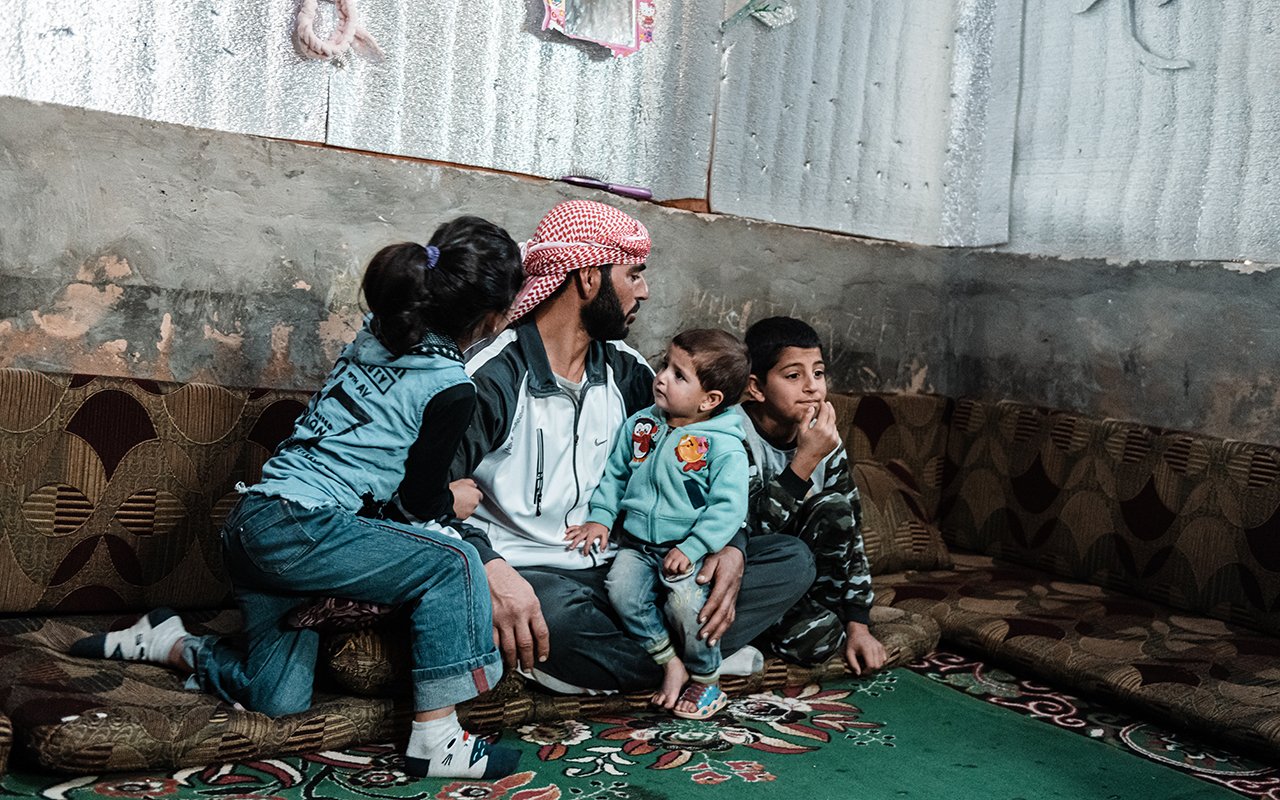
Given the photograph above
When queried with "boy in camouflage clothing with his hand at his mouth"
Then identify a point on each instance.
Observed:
(802, 484)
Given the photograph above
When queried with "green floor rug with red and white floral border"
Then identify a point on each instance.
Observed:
(895, 735)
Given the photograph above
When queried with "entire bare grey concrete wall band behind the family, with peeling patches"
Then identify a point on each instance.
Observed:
(141, 249)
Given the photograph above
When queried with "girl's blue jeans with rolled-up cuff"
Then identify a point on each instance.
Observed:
(280, 554)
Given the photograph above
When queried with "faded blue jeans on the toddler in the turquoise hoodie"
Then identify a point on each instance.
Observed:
(636, 584)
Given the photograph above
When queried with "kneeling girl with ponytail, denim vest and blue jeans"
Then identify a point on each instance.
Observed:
(391, 413)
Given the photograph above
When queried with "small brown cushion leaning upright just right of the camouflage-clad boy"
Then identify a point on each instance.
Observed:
(897, 533)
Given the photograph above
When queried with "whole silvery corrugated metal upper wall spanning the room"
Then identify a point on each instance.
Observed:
(852, 118)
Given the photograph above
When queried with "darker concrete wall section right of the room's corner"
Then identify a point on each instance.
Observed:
(1181, 345)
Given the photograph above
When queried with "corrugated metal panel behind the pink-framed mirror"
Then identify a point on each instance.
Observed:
(479, 84)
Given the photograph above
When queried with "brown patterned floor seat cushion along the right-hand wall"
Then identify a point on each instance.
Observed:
(1217, 679)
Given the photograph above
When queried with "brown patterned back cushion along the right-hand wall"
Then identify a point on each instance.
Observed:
(1181, 519)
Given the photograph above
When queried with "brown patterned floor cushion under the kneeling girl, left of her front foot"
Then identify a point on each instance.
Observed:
(86, 716)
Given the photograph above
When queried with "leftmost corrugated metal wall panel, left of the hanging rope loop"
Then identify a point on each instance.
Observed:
(226, 66)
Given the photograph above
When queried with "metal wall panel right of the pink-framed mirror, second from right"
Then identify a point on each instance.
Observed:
(845, 121)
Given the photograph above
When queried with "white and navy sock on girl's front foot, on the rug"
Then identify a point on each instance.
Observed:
(442, 749)
